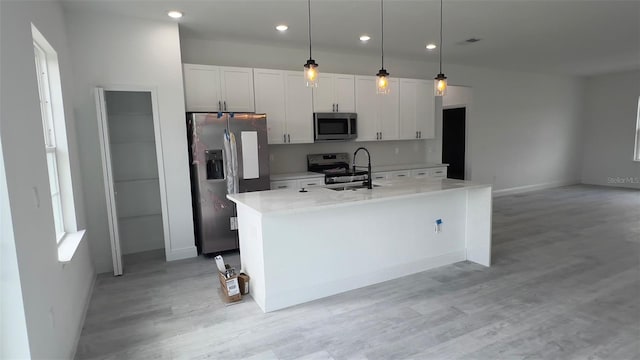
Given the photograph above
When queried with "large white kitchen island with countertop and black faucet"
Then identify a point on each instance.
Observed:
(300, 246)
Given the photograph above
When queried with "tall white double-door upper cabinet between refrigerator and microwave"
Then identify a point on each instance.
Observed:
(283, 96)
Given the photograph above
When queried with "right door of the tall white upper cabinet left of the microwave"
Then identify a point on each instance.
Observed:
(299, 108)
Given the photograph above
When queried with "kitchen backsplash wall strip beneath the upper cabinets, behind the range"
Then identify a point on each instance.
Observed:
(293, 158)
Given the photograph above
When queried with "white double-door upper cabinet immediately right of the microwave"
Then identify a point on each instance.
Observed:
(377, 114)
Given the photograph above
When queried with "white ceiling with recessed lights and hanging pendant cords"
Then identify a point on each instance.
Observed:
(577, 37)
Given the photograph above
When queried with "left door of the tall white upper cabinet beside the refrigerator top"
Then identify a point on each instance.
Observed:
(270, 99)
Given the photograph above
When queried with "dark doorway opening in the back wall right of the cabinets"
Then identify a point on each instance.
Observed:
(453, 141)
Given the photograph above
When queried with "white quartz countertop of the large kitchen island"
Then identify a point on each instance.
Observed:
(291, 200)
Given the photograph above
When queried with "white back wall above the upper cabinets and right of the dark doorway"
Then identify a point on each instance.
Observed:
(525, 130)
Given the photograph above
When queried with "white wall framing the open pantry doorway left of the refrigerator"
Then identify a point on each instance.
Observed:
(114, 50)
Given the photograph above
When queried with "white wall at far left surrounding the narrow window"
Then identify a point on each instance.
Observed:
(54, 294)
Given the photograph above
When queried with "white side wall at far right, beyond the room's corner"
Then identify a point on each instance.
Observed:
(611, 105)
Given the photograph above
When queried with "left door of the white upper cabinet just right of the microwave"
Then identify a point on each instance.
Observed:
(367, 108)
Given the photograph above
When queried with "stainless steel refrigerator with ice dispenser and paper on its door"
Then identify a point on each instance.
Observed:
(219, 166)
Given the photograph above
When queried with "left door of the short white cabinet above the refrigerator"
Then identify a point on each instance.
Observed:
(201, 87)
